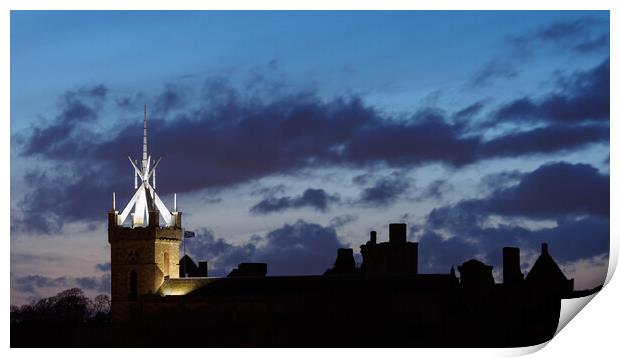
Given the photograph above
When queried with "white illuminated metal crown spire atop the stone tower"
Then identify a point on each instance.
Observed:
(145, 198)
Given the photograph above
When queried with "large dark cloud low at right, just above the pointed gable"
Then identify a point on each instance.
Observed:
(575, 196)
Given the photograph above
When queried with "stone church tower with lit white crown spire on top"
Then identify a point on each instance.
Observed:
(143, 252)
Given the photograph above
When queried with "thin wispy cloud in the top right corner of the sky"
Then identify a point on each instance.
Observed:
(581, 35)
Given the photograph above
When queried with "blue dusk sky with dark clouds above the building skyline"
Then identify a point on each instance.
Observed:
(287, 135)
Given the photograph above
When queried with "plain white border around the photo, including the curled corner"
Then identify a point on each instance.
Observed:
(594, 331)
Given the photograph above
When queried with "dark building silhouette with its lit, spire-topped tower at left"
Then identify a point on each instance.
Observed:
(383, 301)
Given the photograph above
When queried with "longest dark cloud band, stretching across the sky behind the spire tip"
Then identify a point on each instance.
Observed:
(232, 138)
